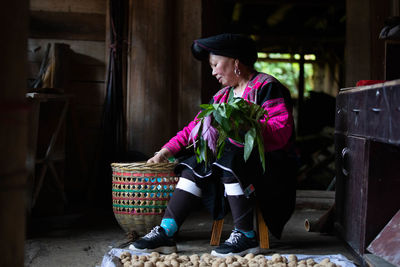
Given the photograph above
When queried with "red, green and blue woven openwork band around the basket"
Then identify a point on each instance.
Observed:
(142, 193)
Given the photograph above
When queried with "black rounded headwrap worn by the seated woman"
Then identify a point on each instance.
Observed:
(230, 45)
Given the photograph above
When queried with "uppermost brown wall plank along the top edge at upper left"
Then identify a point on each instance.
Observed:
(87, 6)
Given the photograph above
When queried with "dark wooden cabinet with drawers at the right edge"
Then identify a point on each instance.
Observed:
(367, 145)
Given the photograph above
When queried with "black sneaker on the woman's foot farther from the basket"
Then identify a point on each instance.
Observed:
(237, 244)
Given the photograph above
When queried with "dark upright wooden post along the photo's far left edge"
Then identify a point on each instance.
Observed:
(13, 131)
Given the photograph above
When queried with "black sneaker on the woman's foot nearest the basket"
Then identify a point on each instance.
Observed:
(156, 240)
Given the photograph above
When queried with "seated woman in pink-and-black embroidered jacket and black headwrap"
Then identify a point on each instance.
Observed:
(231, 57)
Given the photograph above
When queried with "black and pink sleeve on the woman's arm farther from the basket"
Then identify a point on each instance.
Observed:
(275, 99)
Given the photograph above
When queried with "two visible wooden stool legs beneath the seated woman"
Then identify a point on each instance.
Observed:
(262, 231)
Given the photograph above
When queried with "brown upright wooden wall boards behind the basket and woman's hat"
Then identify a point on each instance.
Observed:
(164, 88)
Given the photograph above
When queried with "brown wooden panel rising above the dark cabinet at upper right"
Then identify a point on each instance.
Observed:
(364, 51)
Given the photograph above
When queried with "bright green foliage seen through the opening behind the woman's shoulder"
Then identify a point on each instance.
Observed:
(288, 73)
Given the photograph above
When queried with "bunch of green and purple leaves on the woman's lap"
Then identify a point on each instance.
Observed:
(238, 120)
